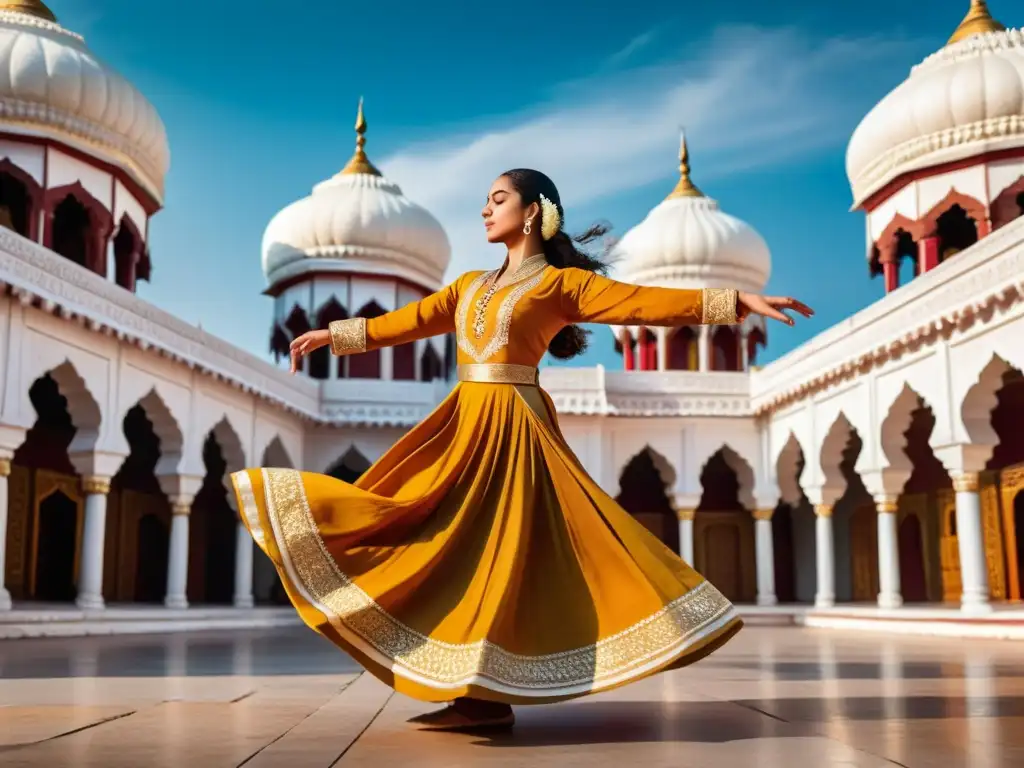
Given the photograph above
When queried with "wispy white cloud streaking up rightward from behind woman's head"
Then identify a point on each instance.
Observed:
(750, 99)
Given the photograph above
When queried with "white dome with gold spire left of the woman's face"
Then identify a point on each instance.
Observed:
(357, 222)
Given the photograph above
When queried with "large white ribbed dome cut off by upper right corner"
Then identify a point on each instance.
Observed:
(965, 101)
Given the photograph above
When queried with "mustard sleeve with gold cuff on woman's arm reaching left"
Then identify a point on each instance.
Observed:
(432, 316)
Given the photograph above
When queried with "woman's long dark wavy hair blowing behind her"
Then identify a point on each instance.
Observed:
(561, 251)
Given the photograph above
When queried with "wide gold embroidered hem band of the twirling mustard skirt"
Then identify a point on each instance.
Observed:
(647, 646)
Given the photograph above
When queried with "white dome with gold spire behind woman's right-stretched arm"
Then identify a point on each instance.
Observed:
(689, 242)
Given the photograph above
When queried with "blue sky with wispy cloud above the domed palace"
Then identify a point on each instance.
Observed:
(260, 104)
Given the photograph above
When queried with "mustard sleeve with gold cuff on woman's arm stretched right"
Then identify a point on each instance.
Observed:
(588, 297)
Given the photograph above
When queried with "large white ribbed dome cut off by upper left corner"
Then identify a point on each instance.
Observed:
(53, 87)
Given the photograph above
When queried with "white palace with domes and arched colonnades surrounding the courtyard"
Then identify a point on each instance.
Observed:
(877, 463)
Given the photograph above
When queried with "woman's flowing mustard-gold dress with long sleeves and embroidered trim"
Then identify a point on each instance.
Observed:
(478, 558)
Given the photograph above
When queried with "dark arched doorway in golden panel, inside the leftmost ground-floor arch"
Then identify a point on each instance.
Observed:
(57, 536)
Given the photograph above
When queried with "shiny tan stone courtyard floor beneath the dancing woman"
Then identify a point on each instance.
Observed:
(774, 697)
